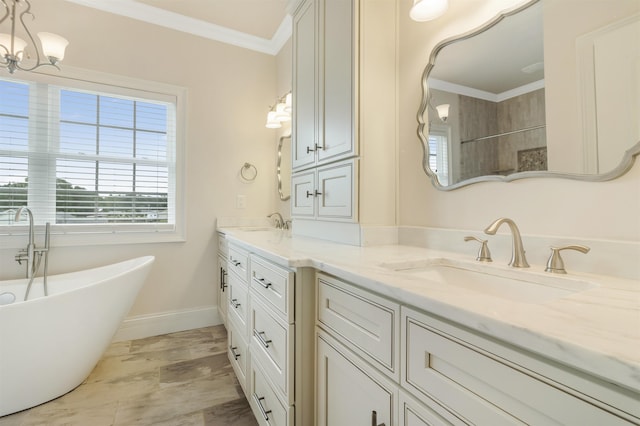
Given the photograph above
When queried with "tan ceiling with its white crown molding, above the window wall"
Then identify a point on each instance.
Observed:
(261, 25)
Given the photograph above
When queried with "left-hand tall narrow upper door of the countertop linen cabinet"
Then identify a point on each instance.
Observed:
(304, 87)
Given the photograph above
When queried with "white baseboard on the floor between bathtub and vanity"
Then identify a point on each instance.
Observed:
(142, 326)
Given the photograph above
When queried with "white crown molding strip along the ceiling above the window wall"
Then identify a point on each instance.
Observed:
(153, 15)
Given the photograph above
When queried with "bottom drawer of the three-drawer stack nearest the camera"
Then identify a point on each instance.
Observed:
(266, 406)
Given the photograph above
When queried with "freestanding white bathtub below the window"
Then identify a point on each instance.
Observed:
(49, 345)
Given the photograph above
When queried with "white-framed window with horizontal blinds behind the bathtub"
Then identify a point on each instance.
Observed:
(89, 157)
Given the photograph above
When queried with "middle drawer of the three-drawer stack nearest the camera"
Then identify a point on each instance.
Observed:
(272, 347)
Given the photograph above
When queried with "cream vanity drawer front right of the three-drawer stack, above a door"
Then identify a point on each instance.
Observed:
(369, 324)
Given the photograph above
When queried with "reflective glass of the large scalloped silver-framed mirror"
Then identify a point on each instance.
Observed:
(491, 97)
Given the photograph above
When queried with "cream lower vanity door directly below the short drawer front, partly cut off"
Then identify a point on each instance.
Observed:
(349, 392)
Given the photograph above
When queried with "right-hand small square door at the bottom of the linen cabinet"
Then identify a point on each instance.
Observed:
(336, 192)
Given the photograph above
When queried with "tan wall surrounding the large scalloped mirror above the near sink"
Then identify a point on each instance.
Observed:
(556, 207)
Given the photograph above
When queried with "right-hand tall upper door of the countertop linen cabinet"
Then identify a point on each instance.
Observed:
(337, 79)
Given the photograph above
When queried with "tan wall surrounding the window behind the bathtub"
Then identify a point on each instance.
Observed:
(229, 90)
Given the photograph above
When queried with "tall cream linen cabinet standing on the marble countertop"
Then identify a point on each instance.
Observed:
(344, 117)
